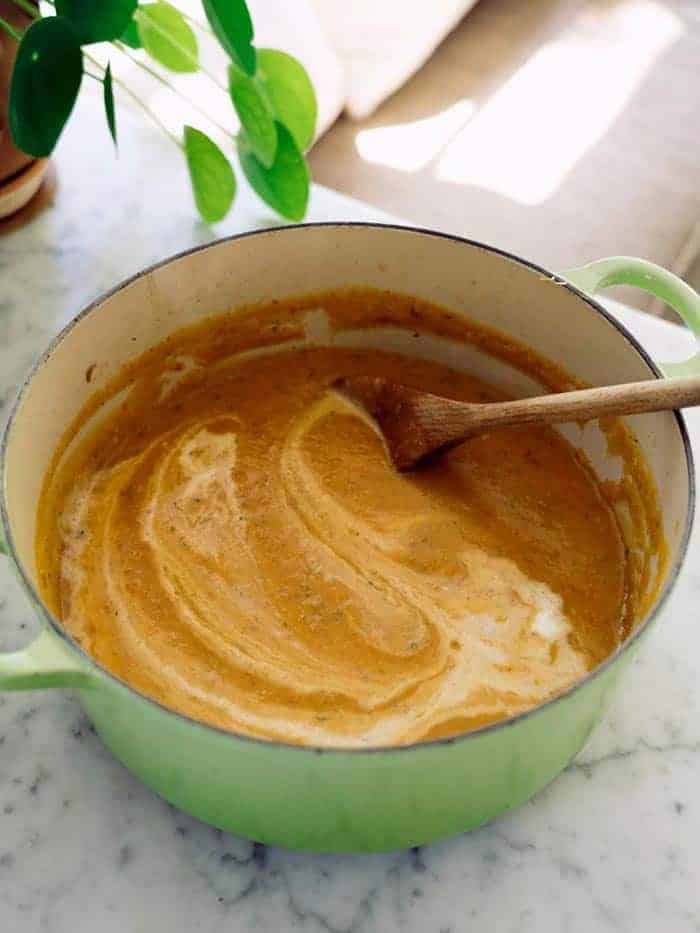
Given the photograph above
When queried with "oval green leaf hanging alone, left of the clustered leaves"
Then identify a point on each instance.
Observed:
(213, 181)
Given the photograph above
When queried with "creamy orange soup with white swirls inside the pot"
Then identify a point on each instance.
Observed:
(232, 541)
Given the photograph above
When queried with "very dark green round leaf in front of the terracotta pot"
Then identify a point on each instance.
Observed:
(45, 82)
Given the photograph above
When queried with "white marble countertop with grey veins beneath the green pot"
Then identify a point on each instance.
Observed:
(614, 843)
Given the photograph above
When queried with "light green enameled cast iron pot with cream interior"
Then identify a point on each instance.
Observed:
(326, 799)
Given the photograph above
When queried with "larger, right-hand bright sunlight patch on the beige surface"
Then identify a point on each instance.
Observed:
(532, 133)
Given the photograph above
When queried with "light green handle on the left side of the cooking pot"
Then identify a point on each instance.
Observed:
(46, 662)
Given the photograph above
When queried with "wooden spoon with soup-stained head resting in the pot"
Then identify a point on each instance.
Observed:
(417, 424)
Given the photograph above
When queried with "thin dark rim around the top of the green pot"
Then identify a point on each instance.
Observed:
(500, 724)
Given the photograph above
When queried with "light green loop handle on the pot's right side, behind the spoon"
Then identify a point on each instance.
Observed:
(626, 270)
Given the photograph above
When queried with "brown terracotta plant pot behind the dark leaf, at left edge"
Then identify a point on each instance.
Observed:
(20, 174)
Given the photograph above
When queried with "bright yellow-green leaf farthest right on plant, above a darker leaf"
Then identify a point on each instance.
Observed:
(291, 93)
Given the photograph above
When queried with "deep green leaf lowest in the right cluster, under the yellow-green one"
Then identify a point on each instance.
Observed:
(285, 185)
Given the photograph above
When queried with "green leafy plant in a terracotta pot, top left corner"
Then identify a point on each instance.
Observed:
(47, 58)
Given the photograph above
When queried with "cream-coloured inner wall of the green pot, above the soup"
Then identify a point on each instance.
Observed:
(486, 285)
